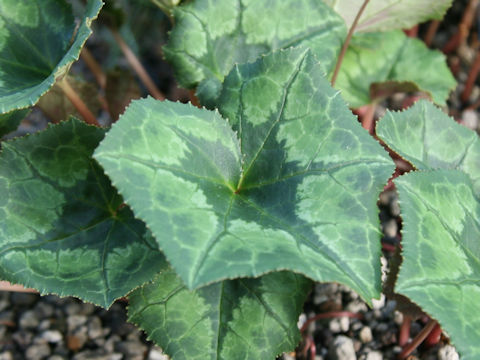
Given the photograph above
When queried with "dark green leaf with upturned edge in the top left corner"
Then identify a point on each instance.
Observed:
(38, 43)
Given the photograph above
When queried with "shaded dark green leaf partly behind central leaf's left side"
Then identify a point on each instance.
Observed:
(63, 229)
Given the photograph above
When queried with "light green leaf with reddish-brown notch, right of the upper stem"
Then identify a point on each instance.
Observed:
(393, 58)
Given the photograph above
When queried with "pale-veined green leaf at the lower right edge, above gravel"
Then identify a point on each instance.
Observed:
(441, 252)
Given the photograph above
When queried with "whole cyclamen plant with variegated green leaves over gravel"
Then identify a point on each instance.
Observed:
(214, 221)
